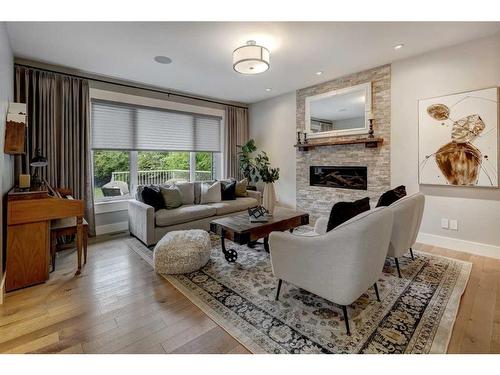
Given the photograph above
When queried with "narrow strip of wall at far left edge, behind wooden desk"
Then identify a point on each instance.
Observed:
(6, 95)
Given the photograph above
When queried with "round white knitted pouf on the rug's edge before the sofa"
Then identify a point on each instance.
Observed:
(182, 251)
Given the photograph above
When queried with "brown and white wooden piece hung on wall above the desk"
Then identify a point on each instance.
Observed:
(15, 129)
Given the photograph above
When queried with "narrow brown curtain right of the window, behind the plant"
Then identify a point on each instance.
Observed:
(236, 135)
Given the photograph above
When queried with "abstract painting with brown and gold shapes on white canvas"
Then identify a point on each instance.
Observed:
(458, 139)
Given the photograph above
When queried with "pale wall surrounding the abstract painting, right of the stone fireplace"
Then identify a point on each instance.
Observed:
(470, 66)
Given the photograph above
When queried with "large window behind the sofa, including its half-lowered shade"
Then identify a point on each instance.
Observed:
(137, 145)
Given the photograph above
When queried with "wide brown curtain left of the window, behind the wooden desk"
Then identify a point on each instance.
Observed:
(59, 125)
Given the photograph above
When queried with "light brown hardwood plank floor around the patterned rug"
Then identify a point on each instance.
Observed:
(119, 305)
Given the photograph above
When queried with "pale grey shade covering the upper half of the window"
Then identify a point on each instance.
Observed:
(118, 126)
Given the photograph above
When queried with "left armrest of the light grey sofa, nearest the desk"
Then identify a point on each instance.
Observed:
(142, 221)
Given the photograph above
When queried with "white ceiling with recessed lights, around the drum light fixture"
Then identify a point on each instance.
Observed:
(202, 51)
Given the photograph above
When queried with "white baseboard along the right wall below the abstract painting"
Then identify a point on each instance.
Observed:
(471, 247)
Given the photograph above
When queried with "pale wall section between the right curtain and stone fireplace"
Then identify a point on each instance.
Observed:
(272, 125)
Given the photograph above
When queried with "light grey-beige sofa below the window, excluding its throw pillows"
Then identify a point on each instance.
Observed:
(150, 226)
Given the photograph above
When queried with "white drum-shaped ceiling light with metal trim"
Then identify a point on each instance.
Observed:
(251, 58)
